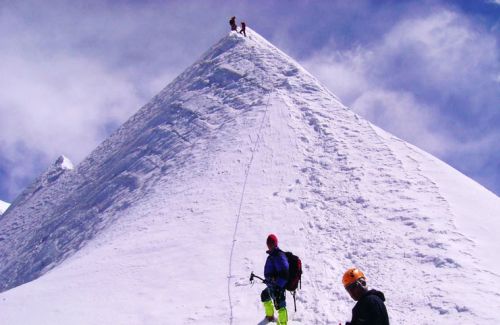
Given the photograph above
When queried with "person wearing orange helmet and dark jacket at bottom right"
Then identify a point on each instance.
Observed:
(370, 308)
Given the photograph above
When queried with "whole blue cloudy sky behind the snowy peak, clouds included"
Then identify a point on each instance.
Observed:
(72, 71)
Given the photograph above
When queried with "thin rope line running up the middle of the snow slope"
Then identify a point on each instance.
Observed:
(247, 172)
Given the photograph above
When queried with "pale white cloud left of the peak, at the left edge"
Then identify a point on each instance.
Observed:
(55, 103)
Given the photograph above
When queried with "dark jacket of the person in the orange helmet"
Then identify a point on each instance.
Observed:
(370, 310)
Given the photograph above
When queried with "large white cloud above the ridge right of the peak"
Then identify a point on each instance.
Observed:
(410, 79)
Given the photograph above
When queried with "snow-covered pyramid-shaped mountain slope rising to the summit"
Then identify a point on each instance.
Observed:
(164, 221)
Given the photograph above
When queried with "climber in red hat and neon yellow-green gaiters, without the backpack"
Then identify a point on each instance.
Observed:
(276, 278)
